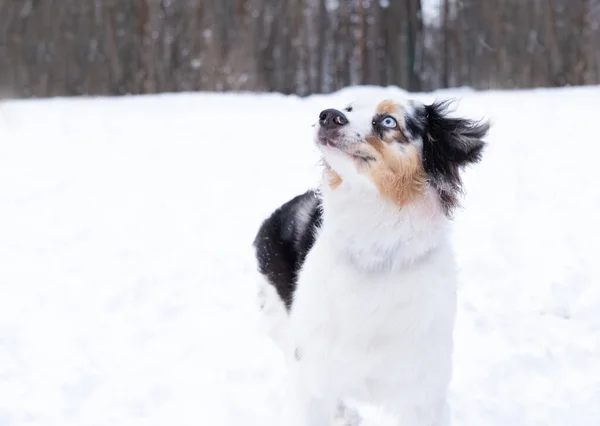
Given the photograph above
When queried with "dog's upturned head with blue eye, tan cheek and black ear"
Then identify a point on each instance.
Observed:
(399, 148)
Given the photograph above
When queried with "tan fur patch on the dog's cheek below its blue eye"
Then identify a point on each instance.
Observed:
(399, 178)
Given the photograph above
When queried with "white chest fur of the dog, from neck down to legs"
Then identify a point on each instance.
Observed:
(374, 309)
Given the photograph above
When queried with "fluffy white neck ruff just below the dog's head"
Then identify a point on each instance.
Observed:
(373, 234)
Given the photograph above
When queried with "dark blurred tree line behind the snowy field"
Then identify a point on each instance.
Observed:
(77, 47)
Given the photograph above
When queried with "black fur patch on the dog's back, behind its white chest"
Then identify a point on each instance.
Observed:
(284, 240)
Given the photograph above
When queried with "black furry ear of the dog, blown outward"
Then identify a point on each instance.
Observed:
(449, 144)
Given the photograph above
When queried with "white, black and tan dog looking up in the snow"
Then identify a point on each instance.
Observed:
(360, 273)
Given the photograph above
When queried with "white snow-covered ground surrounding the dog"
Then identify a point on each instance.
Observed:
(127, 275)
